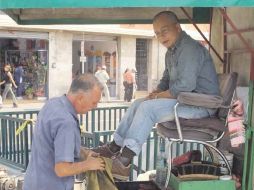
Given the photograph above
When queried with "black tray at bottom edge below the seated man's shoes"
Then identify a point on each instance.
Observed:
(137, 185)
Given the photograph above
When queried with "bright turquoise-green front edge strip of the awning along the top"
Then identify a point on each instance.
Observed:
(21, 4)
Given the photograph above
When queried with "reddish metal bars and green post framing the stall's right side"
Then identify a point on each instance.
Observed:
(249, 145)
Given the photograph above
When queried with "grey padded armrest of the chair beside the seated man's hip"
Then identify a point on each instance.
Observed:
(200, 100)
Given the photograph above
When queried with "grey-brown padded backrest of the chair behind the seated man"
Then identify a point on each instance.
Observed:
(227, 84)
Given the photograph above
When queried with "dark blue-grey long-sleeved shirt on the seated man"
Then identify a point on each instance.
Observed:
(189, 68)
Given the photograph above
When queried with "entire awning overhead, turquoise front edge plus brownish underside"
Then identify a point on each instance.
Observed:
(109, 11)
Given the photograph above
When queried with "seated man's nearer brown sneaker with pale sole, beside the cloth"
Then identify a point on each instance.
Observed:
(119, 171)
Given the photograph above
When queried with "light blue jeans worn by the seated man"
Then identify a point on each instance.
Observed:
(138, 121)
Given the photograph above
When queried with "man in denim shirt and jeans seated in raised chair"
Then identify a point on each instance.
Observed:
(188, 68)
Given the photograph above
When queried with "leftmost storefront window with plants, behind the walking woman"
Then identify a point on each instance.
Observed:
(29, 61)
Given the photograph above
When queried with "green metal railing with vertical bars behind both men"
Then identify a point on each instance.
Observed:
(98, 128)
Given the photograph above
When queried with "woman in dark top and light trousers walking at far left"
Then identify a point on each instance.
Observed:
(8, 81)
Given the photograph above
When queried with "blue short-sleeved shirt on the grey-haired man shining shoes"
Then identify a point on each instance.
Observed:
(56, 138)
